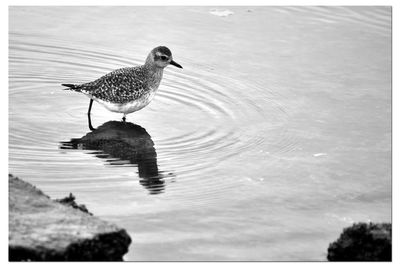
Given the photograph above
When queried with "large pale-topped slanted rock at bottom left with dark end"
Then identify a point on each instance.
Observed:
(41, 229)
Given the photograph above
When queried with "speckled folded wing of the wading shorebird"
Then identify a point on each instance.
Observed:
(119, 86)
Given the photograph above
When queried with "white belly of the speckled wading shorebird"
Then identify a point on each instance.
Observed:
(130, 106)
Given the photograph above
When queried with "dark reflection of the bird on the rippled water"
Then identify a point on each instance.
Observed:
(122, 143)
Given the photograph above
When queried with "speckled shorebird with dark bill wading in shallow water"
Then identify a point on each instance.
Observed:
(128, 89)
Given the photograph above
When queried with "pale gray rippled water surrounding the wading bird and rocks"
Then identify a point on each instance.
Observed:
(274, 136)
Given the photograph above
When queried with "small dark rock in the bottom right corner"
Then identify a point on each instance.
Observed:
(363, 242)
